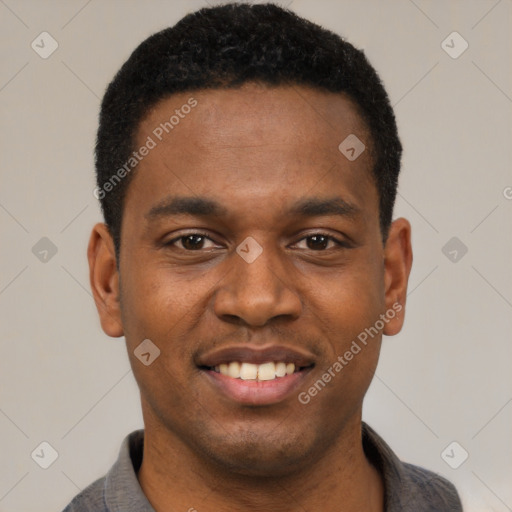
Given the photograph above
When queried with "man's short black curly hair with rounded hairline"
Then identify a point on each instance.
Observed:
(224, 47)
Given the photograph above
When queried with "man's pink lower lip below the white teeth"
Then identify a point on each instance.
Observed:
(253, 392)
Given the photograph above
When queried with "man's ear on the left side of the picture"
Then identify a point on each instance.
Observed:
(104, 279)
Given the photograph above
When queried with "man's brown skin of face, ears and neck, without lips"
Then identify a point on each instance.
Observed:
(256, 151)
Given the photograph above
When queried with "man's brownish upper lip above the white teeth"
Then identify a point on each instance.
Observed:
(256, 355)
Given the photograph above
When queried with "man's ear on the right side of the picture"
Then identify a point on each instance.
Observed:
(397, 266)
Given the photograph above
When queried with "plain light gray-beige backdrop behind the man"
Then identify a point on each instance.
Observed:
(445, 378)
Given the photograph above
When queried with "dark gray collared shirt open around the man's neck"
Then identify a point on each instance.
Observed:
(407, 488)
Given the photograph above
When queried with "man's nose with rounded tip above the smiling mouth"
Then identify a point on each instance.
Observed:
(257, 292)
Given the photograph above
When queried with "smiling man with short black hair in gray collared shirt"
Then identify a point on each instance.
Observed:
(247, 164)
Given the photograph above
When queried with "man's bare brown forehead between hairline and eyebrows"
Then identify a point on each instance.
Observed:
(254, 141)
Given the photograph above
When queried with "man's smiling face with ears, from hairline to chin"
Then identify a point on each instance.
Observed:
(251, 244)
